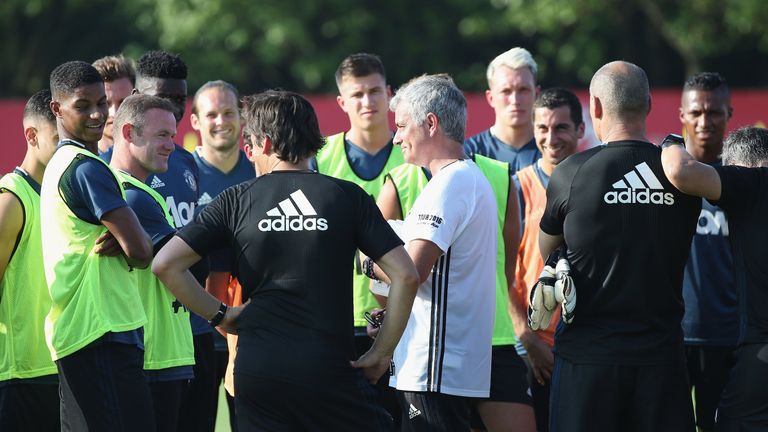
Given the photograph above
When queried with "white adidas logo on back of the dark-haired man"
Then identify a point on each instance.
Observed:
(293, 214)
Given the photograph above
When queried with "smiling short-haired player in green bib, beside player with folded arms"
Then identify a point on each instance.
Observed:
(145, 127)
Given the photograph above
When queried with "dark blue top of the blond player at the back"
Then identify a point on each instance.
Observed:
(486, 144)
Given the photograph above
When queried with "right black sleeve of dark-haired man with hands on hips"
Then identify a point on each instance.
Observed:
(374, 235)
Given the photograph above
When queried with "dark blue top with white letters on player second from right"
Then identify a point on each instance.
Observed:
(709, 290)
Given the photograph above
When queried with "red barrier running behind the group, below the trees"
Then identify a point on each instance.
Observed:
(749, 109)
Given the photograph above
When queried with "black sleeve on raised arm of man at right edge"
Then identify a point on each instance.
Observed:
(741, 187)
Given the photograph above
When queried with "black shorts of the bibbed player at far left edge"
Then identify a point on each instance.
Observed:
(30, 405)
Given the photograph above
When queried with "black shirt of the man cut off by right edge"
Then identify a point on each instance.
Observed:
(744, 197)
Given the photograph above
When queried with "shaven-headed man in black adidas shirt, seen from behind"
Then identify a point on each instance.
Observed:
(626, 232)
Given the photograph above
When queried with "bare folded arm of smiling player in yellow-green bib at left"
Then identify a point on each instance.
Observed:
(134, 241)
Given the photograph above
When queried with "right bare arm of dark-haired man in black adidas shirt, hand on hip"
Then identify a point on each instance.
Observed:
(400, 270)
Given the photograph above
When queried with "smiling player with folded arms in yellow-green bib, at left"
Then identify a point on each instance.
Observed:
(91, 242)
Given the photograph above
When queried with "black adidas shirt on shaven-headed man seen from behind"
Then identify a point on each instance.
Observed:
(628, 232)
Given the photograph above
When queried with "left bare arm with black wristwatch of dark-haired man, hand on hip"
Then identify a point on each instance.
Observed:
(171, 266)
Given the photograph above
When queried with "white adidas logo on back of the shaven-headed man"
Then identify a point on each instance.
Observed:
(640, 186)
